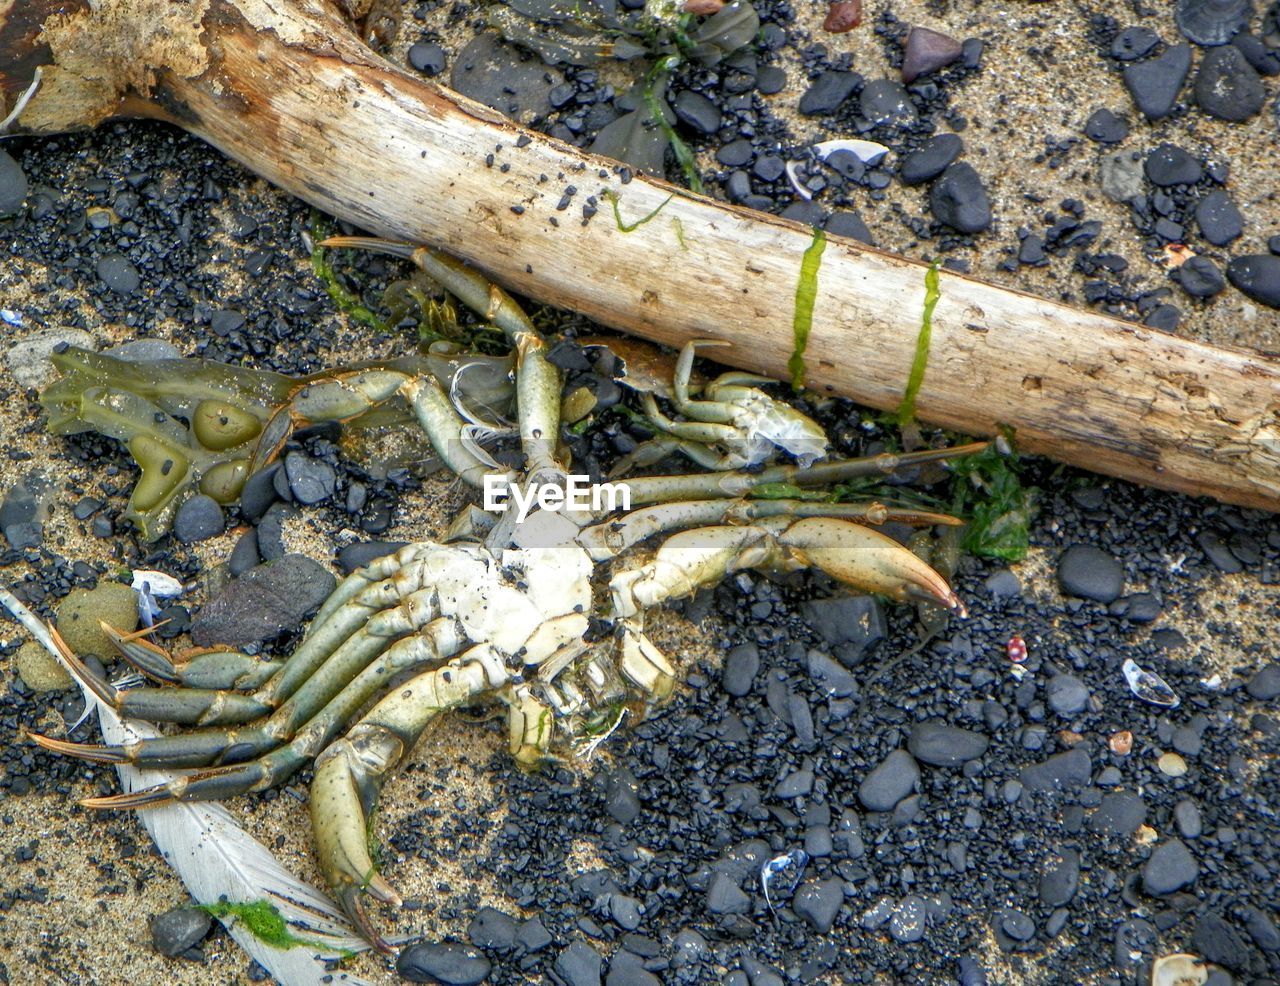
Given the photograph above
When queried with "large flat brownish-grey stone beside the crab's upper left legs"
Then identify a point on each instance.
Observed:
(264, 602)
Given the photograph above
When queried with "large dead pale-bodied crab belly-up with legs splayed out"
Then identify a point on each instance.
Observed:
(543, 615)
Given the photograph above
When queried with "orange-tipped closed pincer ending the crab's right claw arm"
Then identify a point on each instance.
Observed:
(867, 560)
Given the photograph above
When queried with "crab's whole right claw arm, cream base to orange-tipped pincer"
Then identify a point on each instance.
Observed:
(851, 553)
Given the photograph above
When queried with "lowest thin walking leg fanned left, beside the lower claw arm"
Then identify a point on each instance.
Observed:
(277, 766)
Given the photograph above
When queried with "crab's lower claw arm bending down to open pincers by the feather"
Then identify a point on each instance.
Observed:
(351, 773)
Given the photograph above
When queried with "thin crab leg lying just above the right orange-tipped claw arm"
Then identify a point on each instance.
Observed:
(616, 537)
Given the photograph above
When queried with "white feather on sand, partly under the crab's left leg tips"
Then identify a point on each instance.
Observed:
(218, 860)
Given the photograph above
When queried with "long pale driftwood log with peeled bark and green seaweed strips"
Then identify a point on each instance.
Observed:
(285, 88)
